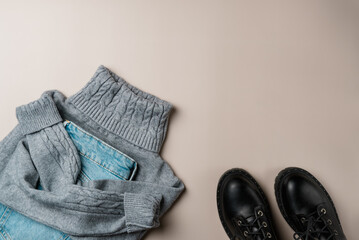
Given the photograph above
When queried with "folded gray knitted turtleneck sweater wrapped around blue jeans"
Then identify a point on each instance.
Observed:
(40, 151)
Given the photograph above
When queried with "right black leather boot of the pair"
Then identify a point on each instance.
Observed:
(306, 206)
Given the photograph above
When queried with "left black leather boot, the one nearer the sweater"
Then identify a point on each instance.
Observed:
(243, 208)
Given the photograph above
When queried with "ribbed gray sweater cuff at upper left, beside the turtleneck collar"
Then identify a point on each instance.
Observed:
(37, 115)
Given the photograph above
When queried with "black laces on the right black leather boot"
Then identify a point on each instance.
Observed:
(315, 226)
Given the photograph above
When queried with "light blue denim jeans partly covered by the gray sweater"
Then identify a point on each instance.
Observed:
(98, 161)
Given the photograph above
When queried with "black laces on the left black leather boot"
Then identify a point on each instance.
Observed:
(255, 227)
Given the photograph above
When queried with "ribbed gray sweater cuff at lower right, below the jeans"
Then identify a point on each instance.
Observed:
(141, 211)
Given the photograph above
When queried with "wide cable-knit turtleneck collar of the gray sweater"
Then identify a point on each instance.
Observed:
(139, 117)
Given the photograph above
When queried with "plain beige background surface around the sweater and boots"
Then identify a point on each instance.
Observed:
(260, 85)
